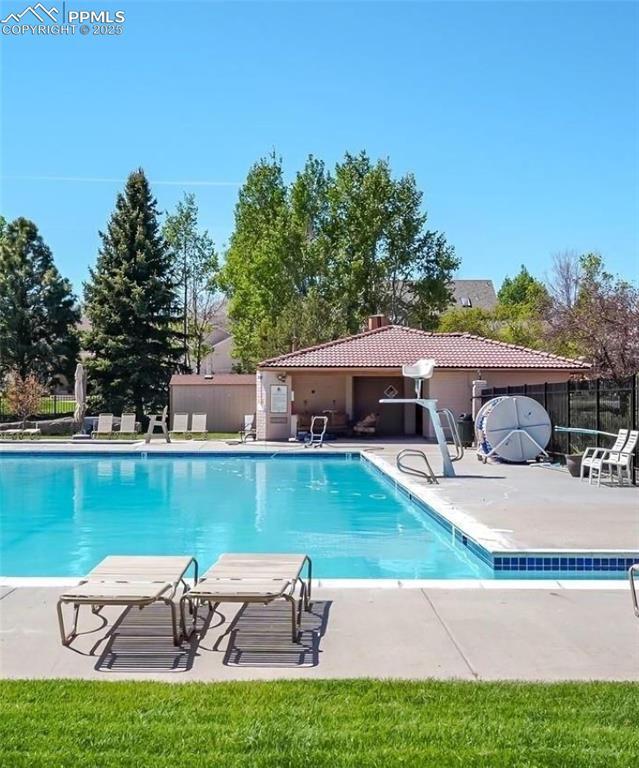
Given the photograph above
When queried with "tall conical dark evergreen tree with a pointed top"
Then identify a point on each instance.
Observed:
(131, 303)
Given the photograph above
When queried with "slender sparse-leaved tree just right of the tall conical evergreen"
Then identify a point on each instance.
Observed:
(197, 265)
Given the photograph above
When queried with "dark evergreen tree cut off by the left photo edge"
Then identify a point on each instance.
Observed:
(38, 311)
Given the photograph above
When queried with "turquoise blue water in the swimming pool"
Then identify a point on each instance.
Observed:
(59, 516)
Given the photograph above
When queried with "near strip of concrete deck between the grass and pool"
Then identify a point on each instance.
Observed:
(473, 634)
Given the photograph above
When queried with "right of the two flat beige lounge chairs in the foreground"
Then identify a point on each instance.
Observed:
(253, 578)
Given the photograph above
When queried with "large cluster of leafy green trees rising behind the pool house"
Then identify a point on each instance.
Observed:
(310, 260)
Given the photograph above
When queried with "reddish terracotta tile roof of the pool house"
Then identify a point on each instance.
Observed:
(393, 346)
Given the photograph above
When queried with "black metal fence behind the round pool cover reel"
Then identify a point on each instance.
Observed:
(600, 404)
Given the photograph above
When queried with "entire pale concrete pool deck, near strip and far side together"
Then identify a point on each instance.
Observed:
(476, 630)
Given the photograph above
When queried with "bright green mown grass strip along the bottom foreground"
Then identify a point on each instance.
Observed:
(336, 724)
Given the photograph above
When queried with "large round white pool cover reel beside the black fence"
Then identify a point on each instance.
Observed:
(512, 428)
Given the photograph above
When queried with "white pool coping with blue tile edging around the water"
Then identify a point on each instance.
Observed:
(483, 542)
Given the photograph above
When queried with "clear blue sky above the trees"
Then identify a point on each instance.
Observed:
(519, 120)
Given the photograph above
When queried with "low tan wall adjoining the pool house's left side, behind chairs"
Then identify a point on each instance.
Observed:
(224, 405)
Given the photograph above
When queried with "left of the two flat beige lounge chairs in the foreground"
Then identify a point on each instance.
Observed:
(137, 581)
